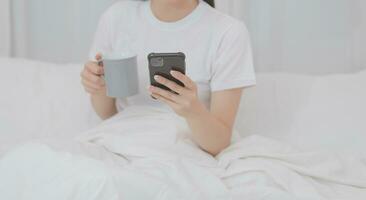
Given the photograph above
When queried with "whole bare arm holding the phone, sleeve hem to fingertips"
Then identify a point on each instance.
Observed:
(212, 128)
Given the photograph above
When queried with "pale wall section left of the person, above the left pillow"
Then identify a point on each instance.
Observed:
(54, 30)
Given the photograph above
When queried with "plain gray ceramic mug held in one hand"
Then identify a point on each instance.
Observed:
(120, 75)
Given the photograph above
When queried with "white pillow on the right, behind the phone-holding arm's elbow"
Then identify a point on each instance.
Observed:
(316, 112)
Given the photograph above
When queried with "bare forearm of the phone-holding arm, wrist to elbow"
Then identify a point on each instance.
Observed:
(211, 134)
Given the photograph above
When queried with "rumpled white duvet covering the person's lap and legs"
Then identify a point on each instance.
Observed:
(146, 153)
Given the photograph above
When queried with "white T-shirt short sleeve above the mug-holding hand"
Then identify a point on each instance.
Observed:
(102, 37)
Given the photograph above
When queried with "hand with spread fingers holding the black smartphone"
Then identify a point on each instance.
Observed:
(185, 103)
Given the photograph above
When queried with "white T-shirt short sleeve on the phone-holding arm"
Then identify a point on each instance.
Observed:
(233, 65)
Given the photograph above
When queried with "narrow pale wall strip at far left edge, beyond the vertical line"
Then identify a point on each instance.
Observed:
(4, 28)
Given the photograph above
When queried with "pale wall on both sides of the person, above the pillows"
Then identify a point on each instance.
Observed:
(305, 36)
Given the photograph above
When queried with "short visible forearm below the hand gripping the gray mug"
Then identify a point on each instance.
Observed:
(104, 106)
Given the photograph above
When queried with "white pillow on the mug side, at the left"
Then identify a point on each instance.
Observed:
(41, 100)
